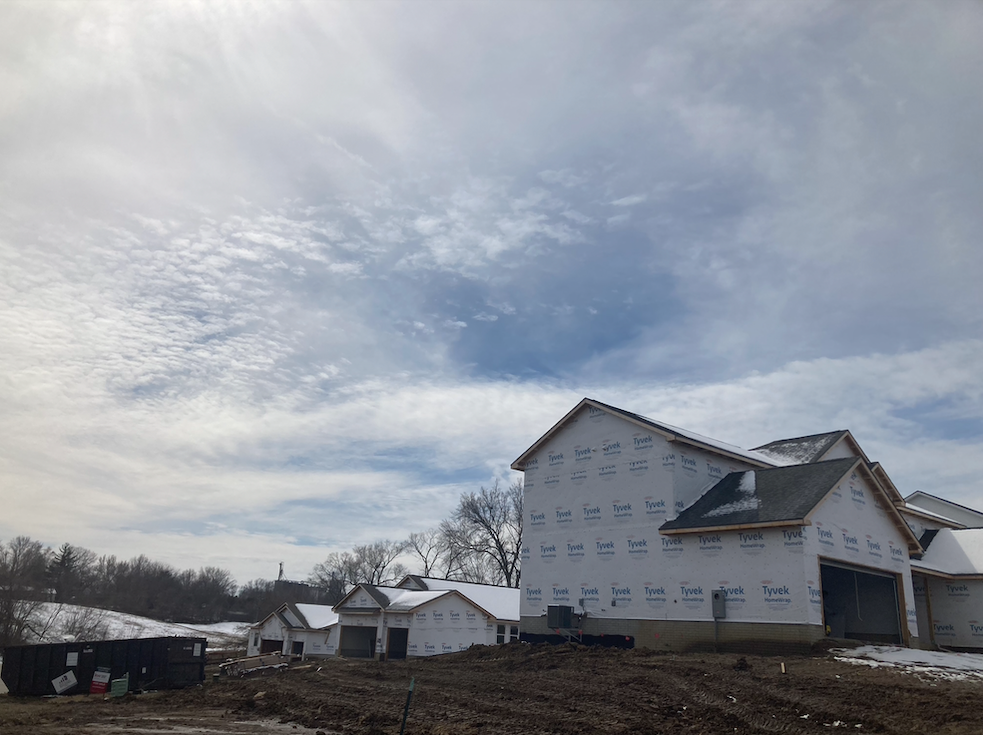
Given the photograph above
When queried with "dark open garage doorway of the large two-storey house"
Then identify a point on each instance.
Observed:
(861, 604)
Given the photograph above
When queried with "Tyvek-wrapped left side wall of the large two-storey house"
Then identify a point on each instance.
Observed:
(597, 492)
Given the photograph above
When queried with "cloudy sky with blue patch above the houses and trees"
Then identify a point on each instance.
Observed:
(276, 279)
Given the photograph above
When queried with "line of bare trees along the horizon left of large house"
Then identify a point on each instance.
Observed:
(480, 542)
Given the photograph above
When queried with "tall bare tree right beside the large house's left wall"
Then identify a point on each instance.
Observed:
(485, 534)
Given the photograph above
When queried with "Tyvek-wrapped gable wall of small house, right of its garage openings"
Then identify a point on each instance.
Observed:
(445, 625)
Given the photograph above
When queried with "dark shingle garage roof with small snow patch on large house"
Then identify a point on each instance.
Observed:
(763, 496)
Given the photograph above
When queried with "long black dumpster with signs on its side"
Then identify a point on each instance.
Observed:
(69, 668)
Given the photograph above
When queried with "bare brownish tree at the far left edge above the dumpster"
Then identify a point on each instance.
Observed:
(23, 586)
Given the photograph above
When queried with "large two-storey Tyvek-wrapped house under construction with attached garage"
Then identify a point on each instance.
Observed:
(647, 533)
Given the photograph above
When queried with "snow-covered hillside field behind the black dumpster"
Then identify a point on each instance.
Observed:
(54, 622)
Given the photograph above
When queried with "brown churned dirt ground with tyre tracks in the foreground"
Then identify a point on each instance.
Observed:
(526, 689)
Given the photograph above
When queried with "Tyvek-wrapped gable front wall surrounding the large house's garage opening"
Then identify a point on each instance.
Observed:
(852, 525)
